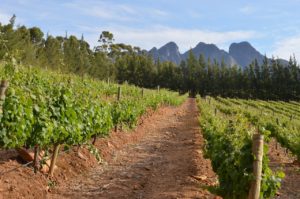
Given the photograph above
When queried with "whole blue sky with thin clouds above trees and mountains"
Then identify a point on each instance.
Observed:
(272, 27)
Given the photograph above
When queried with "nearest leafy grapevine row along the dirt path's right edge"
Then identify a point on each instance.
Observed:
(229, 146)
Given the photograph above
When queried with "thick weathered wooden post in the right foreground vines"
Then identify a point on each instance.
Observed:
(257, 150)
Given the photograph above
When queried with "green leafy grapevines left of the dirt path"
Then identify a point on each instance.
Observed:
(43, 109)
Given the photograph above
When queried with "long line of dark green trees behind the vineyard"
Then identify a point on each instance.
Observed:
(125, 63)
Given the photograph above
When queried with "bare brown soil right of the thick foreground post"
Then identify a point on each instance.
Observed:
(280, 160)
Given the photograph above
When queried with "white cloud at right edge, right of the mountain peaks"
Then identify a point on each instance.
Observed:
(287, 47)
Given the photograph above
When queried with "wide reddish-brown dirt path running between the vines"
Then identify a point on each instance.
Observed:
(165, 163)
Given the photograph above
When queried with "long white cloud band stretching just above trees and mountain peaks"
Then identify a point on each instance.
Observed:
(160, 35)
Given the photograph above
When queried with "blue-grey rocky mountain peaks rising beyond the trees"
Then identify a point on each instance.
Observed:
(241, 54)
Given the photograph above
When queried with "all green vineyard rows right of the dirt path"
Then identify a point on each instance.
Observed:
(228, 126)
